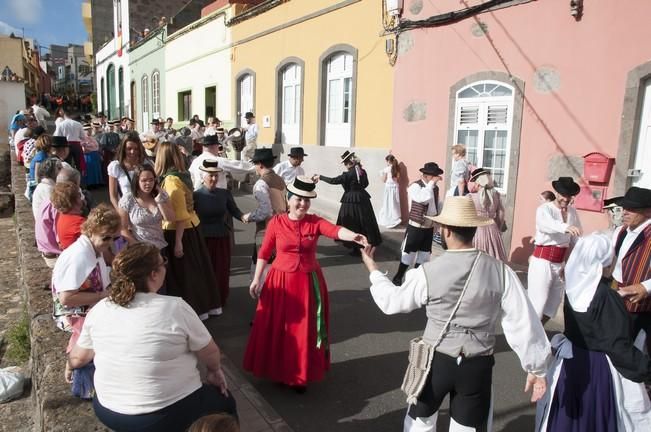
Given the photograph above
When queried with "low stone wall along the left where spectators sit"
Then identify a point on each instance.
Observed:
(56, 410)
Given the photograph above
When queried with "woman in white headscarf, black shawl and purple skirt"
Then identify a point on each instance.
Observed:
(596, 382)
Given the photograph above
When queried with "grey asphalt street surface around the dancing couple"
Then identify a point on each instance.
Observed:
(368, 350)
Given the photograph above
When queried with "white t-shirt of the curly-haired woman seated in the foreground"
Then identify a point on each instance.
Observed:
(144, 356)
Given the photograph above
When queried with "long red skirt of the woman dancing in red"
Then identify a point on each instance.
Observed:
(289, 339)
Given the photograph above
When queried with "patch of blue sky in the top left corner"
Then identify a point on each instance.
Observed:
(47, 21)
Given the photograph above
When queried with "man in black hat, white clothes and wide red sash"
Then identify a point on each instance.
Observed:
(557, 228)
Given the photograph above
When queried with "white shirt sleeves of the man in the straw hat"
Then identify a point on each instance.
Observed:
(520, 323)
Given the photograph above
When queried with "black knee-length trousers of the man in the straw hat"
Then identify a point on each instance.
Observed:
(468, 384)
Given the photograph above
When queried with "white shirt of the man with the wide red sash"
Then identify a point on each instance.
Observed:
(550, 228)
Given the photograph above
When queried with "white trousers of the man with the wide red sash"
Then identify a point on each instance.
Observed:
(544, 286)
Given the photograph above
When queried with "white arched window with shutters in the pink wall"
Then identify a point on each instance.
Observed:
(483, 122)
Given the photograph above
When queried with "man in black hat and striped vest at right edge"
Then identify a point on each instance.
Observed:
(632, 264)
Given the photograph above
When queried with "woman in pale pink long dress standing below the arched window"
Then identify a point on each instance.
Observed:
(488, 204)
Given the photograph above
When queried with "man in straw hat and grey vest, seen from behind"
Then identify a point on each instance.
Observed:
(466, 293)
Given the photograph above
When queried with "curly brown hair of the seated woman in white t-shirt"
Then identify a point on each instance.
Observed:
(130, 270)
